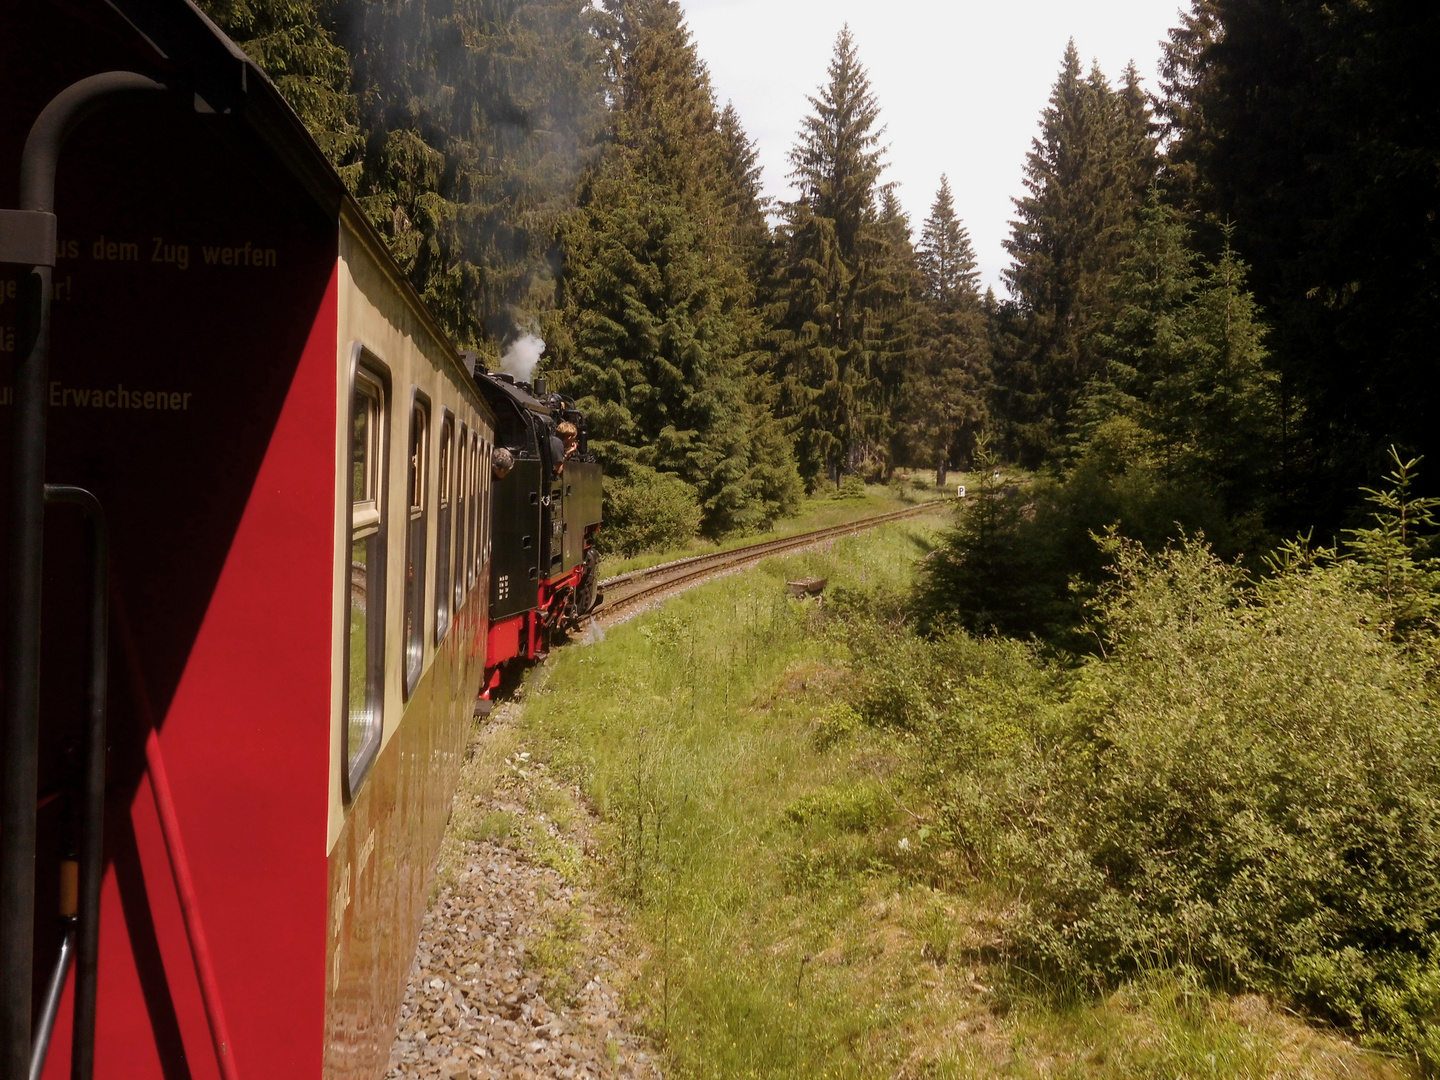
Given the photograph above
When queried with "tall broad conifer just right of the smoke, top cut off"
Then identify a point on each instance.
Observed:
(660, 305)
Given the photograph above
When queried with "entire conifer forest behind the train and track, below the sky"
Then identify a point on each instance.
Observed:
(1223, 293)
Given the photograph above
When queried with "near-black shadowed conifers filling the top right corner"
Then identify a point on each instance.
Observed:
(1313, 129)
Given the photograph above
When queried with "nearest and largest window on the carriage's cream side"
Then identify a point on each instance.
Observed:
(365, 653)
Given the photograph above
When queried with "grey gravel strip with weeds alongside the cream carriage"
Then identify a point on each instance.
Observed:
(519, 973)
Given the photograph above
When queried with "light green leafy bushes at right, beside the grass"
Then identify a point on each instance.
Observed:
(1245, 780)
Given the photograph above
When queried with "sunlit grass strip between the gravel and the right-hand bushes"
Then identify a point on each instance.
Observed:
(770, 855)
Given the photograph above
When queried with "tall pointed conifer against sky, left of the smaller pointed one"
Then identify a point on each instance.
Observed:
(827, 282)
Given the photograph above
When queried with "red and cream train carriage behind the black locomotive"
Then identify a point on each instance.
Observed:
(294, 470)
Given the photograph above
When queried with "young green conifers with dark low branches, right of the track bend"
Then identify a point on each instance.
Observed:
(1179, 431)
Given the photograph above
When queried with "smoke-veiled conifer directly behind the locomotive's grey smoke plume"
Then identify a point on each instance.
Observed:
(479, 122)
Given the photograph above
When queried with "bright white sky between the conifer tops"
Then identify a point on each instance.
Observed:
(960, 83)
